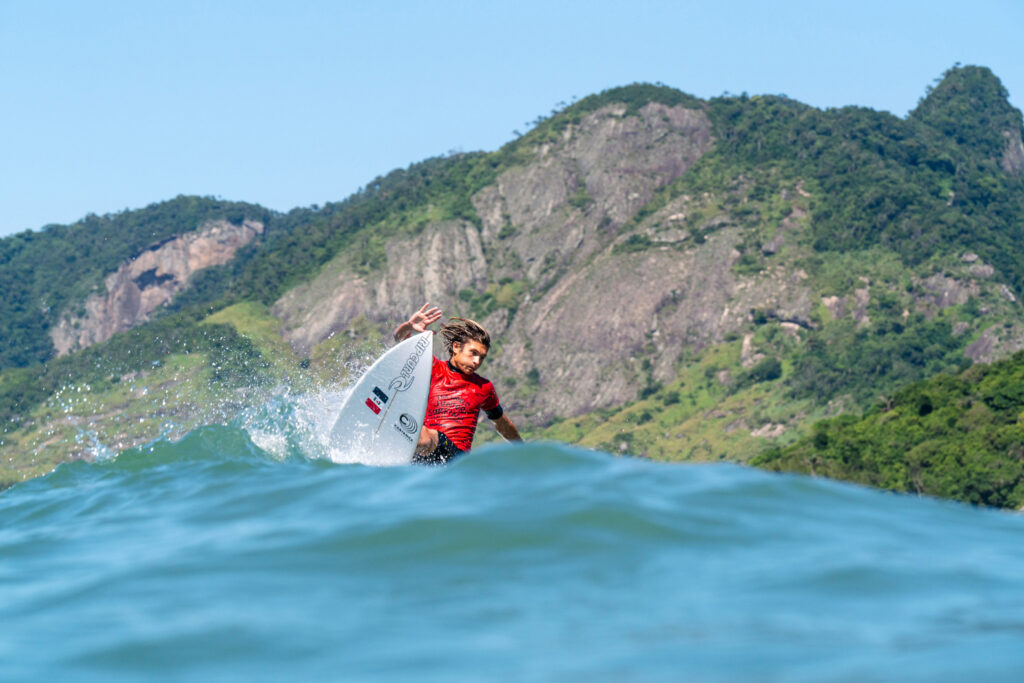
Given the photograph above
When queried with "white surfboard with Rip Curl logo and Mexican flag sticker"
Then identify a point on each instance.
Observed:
(380, 420)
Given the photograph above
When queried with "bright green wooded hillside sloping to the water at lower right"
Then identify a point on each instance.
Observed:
(956, 437)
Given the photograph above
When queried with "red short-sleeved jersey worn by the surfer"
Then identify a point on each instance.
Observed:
(456, 402)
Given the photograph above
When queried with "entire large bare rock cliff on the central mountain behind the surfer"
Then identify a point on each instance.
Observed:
(552, 227)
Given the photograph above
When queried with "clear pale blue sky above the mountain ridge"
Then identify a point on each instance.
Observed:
(115, 105)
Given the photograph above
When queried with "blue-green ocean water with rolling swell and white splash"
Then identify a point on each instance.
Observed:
(242, 552)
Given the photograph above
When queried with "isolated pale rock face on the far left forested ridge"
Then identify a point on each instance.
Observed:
(150, 281)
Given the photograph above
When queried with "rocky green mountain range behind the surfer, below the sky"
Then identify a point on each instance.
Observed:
(667, 277)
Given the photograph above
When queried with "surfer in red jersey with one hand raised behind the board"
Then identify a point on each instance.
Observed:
(457, 393)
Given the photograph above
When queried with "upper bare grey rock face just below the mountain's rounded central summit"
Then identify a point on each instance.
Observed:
(564, 205)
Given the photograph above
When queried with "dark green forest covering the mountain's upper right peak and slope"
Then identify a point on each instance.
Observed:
(919, 186)
